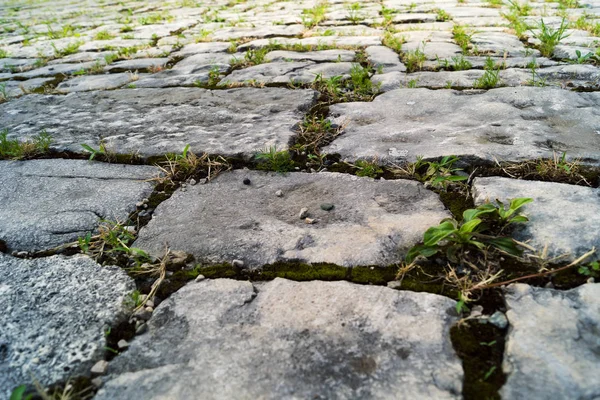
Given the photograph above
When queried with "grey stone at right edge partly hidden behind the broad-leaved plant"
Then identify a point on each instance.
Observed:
(564, 217)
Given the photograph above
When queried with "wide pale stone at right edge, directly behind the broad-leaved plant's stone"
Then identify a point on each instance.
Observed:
(509, 124)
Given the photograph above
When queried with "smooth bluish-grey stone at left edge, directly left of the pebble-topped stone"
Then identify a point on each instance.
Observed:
(50, 202)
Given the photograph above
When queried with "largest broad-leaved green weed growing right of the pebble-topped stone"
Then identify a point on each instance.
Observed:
(454, 239)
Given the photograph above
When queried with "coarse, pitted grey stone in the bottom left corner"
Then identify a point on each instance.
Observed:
(55, 311)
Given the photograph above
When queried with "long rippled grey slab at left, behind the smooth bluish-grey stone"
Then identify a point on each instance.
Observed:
(154, 122)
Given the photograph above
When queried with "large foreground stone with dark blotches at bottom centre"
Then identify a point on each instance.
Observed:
(223, 339)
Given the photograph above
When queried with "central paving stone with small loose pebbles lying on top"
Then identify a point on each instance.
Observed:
(373, 222)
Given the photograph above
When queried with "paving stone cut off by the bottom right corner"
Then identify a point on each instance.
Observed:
(552, 345)
